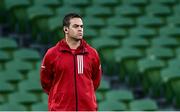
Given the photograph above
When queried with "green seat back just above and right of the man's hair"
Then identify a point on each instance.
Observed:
(98, 11)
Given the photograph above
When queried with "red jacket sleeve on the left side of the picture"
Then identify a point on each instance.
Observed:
(46, 72)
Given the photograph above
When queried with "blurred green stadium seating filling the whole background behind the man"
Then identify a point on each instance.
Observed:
(138, 42)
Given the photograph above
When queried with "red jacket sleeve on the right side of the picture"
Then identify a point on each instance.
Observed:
(97, 71)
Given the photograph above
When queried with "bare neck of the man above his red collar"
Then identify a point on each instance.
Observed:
(73, 43)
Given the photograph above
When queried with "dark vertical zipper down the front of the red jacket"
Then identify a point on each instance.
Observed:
(76, 94)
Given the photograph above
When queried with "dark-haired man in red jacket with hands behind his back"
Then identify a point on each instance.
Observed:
(70, 71)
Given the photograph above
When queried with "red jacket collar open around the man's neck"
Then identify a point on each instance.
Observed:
(64, 47)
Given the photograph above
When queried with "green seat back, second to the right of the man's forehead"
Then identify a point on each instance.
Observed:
(120, 21)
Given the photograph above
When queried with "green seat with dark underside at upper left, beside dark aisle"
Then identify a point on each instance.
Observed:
(38, 17)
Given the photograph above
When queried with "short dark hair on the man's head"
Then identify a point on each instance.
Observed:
(66, 20)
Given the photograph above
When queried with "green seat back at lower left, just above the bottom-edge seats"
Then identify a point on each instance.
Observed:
(24, 98)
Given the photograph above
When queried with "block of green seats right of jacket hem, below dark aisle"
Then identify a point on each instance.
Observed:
(122, 99)
